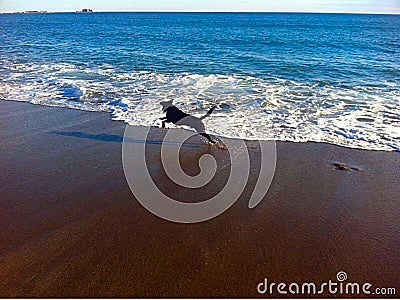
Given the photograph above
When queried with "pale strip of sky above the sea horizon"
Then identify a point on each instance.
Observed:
(339, 6)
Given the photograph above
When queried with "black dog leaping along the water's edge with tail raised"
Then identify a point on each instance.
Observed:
(178, 117)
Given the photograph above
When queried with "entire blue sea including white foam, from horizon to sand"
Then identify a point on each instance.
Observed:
(298, 77)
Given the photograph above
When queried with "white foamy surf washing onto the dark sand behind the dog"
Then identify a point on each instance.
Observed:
(357, 116)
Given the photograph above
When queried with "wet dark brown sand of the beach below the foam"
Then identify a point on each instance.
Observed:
(70, 226)
